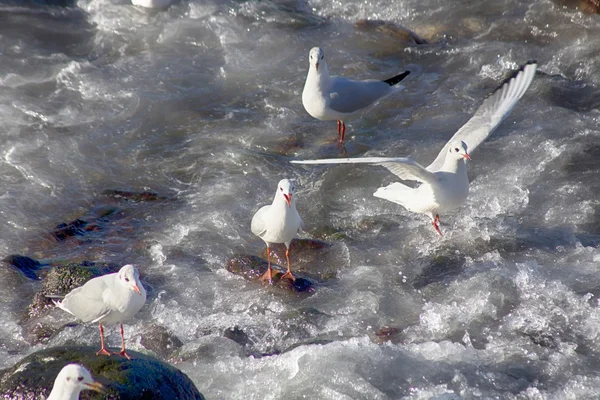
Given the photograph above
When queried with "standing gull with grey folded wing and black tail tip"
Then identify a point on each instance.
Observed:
(331, 98)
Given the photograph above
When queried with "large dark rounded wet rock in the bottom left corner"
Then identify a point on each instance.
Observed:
(142, 377)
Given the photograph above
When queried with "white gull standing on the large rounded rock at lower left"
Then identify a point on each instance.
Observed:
(108, 298)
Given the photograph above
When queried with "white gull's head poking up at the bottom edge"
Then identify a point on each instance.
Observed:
(71, 380)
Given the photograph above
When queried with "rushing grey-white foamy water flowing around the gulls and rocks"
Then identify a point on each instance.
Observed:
(201, 103)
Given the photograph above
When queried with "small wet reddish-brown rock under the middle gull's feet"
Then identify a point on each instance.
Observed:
(252, 268)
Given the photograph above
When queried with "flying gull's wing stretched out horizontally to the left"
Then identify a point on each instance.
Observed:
(404, 168)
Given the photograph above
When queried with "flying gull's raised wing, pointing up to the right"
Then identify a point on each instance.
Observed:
(491, 112)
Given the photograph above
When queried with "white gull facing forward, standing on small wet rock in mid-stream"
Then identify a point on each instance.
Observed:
(278, 223)
